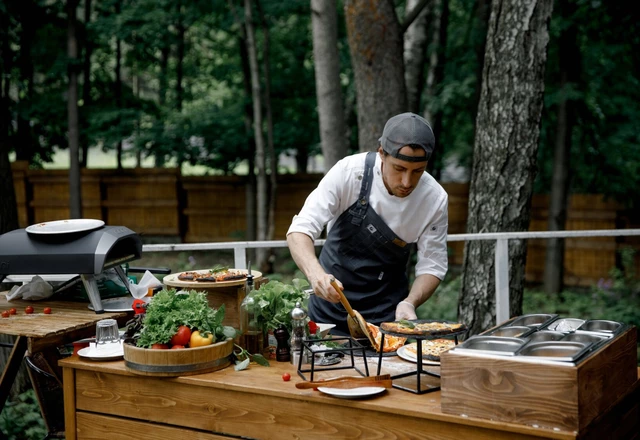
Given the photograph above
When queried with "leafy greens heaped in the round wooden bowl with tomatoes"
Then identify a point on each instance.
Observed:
(168, 310)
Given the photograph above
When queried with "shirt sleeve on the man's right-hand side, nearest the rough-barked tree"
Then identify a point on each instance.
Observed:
(432, 244)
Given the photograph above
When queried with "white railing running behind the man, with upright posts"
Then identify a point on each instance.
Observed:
(501, 254)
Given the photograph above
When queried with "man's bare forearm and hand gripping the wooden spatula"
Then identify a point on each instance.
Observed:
(304, 254)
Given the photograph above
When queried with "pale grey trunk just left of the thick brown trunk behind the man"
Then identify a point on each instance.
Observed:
(324, 20)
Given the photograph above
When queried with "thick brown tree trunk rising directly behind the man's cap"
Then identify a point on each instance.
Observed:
(375, 42)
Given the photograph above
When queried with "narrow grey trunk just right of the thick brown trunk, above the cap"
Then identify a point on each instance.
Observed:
(416, 43)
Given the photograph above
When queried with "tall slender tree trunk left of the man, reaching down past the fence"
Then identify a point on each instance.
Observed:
(261, 187)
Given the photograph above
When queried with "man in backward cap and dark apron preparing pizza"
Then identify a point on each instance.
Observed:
(374, 206)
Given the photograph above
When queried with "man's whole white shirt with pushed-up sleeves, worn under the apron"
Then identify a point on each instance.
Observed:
(421, 217)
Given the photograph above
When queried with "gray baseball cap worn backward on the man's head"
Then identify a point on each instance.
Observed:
(407, 129)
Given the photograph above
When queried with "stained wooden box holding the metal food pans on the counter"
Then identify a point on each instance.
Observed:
(554, 396)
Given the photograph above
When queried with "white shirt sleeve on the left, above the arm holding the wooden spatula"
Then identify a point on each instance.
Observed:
(322, 205)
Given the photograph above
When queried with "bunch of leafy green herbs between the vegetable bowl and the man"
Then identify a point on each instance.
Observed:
(273, 302)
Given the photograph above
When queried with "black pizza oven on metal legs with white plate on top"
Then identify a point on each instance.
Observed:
(87, 253)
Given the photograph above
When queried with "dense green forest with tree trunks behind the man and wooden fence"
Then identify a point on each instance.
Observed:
(535, 96)
